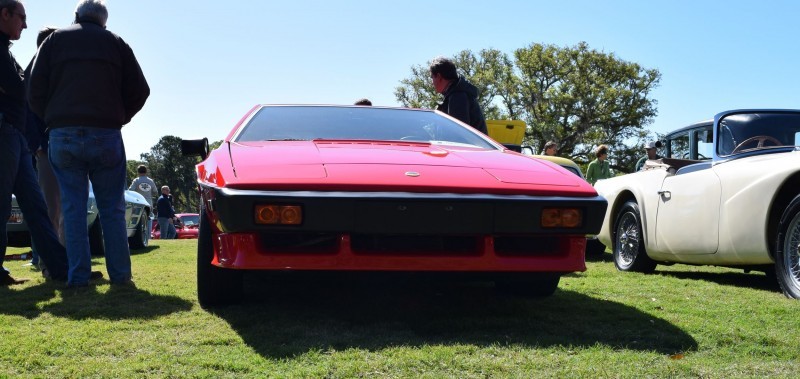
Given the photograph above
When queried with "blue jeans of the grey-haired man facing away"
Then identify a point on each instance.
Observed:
(78, 155)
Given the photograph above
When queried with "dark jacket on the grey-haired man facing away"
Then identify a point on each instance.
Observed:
(86, 75)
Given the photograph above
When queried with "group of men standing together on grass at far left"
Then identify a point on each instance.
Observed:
(82, 86)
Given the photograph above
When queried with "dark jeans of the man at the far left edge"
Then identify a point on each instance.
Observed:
(19, 178)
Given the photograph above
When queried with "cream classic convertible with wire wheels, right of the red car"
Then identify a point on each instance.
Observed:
(727, 193)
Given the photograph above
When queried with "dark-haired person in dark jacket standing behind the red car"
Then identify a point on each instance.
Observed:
(460, 96)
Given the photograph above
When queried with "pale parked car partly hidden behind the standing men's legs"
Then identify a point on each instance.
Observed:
(136, 212)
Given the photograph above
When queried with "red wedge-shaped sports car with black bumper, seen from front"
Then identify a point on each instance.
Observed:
(354, 188)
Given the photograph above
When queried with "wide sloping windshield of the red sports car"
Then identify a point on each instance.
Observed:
(305, 123)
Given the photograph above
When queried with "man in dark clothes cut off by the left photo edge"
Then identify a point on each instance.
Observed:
(16, 164)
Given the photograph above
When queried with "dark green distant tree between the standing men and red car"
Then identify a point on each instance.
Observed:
(167, 166)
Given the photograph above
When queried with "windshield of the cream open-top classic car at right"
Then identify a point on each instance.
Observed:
(746, 132)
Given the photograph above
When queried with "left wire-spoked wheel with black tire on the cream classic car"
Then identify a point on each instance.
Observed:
(629, 251)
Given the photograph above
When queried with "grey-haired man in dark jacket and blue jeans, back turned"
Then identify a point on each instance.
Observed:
(86, 84)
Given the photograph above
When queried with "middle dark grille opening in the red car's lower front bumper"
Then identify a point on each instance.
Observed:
(415, 244)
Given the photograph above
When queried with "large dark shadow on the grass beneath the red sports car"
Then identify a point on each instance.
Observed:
(285, 318)
